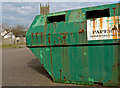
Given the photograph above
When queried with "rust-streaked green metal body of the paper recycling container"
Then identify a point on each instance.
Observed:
(67, 55)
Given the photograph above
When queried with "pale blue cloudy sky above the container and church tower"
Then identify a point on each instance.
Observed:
(24, 12)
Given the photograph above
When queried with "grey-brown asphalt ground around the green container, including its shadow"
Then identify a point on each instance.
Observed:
(21, 68)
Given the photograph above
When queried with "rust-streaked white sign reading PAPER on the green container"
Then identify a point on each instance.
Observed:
(103, 28)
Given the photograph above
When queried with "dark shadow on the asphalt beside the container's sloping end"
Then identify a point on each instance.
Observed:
(36, 65)
